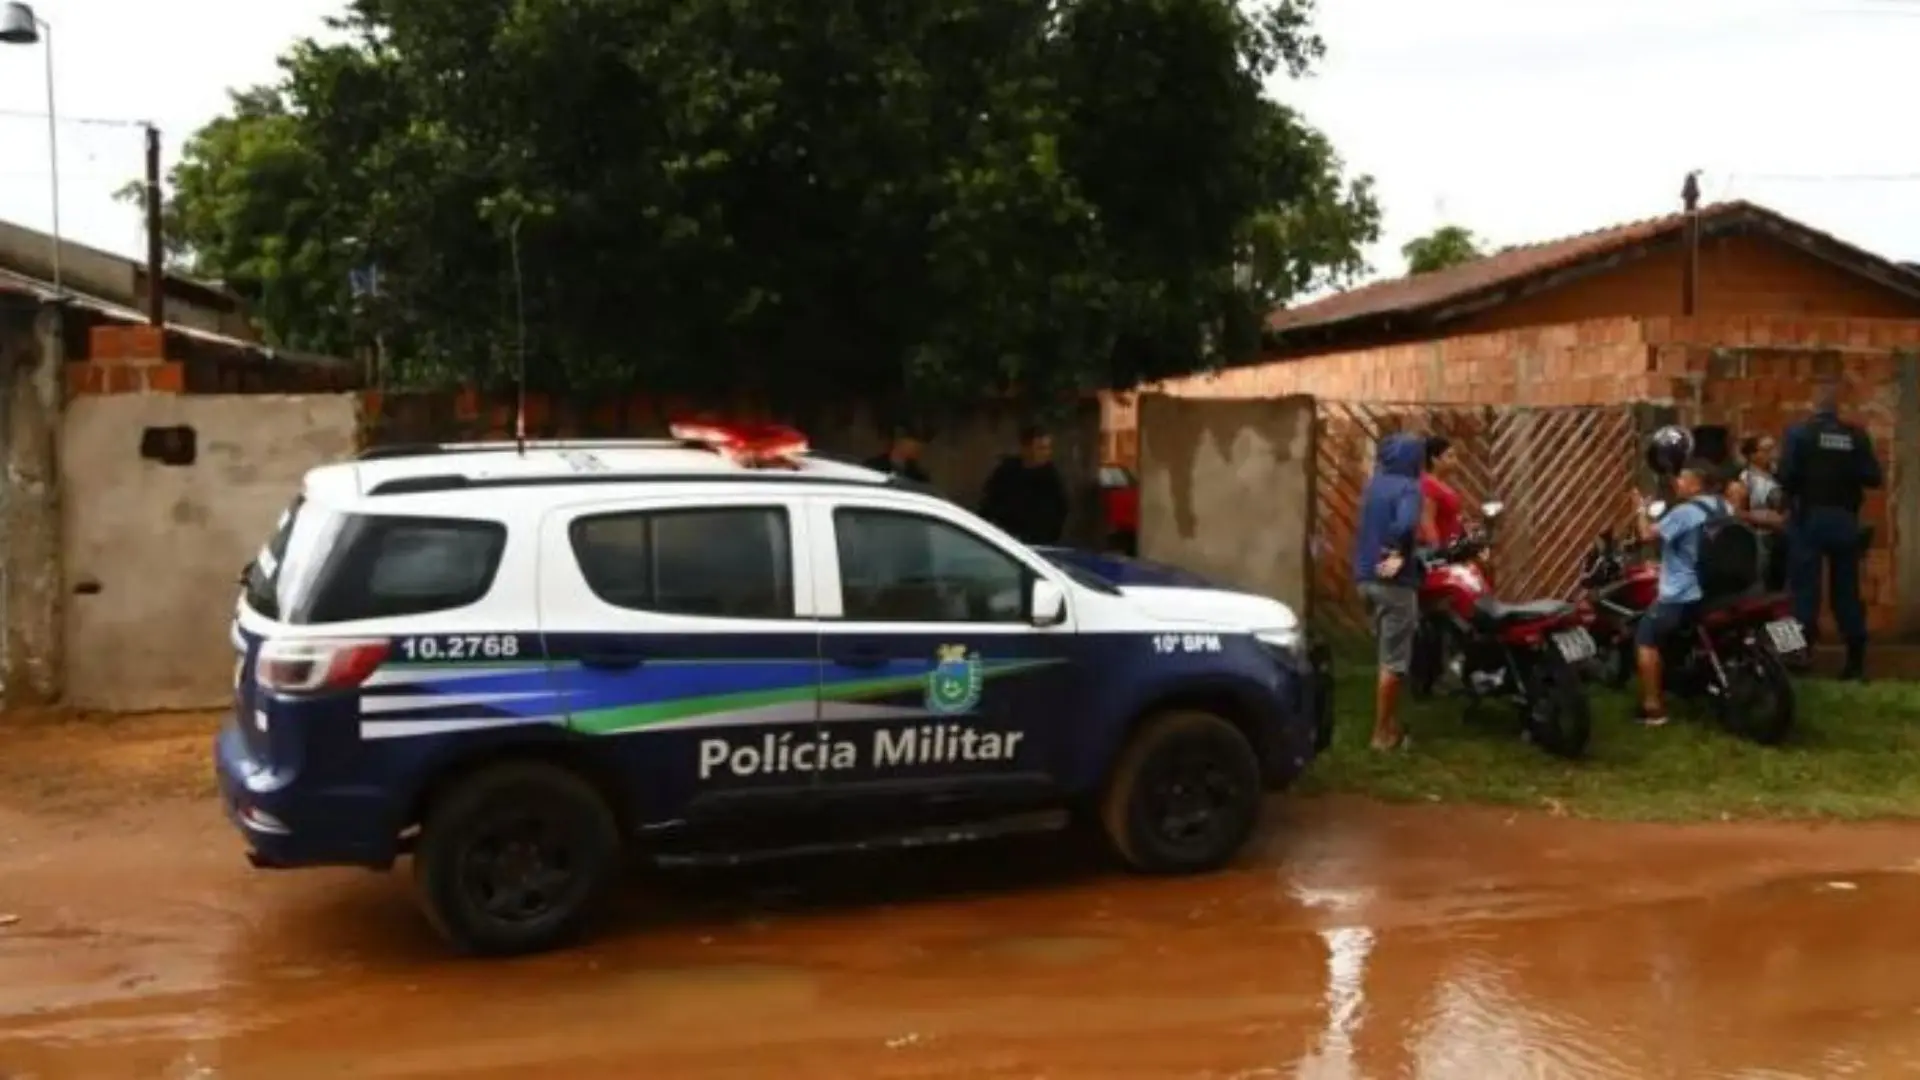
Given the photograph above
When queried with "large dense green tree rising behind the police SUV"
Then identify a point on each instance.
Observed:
(780, 195)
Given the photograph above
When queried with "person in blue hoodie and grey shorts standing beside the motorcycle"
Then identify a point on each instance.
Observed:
(1387, 574)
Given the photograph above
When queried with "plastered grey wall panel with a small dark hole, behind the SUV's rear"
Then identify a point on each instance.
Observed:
(153, 551)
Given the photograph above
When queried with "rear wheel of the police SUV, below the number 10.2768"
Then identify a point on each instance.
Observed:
(516, 858)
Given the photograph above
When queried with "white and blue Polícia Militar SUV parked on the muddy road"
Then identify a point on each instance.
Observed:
(521, 662)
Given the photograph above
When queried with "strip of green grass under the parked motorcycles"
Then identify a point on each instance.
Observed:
(1856, 756)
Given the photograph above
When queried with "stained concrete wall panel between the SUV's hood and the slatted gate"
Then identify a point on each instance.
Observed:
(1228, 491)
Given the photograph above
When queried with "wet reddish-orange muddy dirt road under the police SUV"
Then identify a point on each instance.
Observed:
(1356, 943)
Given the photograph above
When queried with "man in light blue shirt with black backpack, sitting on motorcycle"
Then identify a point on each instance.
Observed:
(1706, 552)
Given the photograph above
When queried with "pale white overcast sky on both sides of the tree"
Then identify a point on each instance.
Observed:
(1522, 120)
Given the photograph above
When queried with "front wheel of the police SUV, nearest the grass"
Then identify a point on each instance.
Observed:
(1186, 795)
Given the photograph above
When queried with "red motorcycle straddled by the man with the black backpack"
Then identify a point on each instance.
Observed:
(1733, 654)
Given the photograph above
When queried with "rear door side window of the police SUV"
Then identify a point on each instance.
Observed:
(725, 564)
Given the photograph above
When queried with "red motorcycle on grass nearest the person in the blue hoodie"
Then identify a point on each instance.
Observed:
(1524, 654)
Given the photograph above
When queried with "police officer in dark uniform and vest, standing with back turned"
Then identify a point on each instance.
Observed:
(1827, 466)
